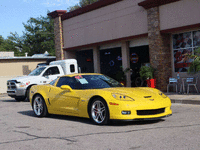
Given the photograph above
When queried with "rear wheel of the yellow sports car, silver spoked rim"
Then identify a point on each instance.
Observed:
(39, 106)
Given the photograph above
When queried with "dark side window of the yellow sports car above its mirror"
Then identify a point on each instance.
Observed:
(71, 81)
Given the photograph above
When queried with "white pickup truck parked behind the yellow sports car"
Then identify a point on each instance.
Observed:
(19, 87)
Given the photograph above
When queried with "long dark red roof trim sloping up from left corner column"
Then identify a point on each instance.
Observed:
(88, 8)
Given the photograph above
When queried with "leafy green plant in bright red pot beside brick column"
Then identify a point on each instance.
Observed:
(147, 73)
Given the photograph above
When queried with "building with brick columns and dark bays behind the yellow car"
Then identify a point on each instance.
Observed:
(111, 33)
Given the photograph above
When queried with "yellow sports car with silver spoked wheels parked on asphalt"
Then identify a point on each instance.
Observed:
(98, 97)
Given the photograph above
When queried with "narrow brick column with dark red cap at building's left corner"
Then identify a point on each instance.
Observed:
(58, 33)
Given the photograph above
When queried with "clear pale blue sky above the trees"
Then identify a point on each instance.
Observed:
(14, 12)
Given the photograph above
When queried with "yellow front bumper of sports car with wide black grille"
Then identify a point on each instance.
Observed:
(140, 111)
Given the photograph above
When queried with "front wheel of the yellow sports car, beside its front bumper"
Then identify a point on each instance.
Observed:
(99, 113)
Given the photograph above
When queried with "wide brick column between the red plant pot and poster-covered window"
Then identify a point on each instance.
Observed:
(159, 49)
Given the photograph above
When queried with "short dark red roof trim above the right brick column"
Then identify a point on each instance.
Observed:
(155, 3)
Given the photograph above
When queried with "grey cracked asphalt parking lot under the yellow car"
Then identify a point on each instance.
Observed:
(20, 129)
